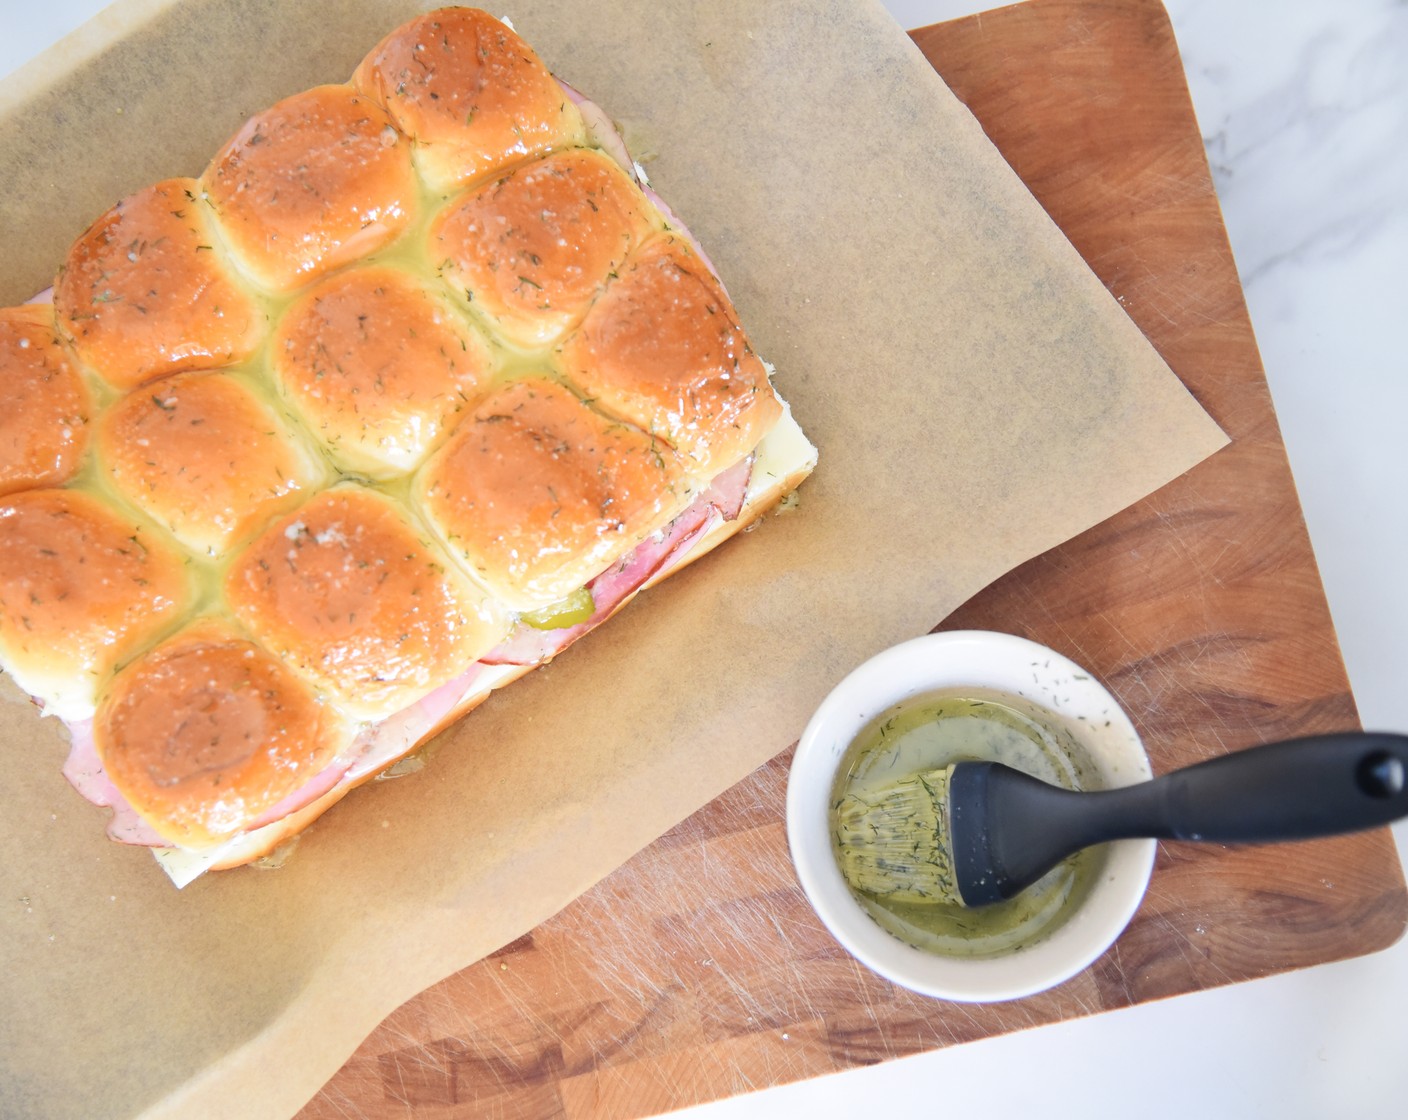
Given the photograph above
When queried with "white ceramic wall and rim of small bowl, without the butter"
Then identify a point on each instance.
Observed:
(969, 660)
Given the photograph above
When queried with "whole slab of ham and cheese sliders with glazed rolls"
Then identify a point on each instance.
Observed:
(416, 385)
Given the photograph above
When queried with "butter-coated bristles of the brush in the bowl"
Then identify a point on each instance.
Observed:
(895, 843)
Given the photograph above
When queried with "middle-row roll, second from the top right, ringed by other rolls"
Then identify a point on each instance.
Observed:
(378, 364)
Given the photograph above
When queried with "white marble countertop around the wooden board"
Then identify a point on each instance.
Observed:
(1305, 108)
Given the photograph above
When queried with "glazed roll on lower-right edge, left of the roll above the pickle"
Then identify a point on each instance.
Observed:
(350, 594)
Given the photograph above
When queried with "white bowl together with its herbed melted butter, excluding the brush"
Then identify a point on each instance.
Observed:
(920, 708)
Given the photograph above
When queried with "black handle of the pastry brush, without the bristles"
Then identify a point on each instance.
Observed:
(1010, 829)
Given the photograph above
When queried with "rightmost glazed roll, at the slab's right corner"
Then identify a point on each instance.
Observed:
(664, 350)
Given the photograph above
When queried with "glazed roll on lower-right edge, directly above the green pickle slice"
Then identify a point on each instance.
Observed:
(537, 492)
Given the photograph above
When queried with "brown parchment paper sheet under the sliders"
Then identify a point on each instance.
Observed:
(976, 397)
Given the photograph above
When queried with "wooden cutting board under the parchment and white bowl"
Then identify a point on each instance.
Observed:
(698, 970)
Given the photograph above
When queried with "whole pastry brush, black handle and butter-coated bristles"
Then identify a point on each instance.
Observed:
(978, 833)
